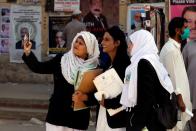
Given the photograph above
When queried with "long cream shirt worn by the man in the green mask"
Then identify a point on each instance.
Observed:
(172, 59)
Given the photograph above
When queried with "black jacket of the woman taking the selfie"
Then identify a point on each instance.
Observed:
(60, 111)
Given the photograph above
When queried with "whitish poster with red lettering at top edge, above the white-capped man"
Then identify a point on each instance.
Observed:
(66, 5)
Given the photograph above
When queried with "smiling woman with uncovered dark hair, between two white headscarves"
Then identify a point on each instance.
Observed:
(114, 44)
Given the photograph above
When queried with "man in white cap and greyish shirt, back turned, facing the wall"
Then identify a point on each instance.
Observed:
(73, 27)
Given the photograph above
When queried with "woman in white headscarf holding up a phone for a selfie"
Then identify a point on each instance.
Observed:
(82, 57)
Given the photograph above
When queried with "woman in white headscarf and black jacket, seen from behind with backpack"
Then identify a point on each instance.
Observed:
(143, 77)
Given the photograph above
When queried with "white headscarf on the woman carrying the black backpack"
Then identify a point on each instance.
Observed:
(144, 47)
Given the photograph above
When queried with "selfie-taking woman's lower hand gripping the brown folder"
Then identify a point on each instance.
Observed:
(78, 97)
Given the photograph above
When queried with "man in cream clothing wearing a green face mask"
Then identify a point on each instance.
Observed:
(172, 59)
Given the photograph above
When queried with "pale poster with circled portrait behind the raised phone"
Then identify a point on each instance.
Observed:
(25, 19)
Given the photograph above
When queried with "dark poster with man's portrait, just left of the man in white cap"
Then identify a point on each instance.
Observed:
(57, 44)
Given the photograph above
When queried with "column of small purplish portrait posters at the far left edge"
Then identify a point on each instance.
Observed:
(4, 30)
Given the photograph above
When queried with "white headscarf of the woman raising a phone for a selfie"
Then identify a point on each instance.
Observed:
(70, 64)
